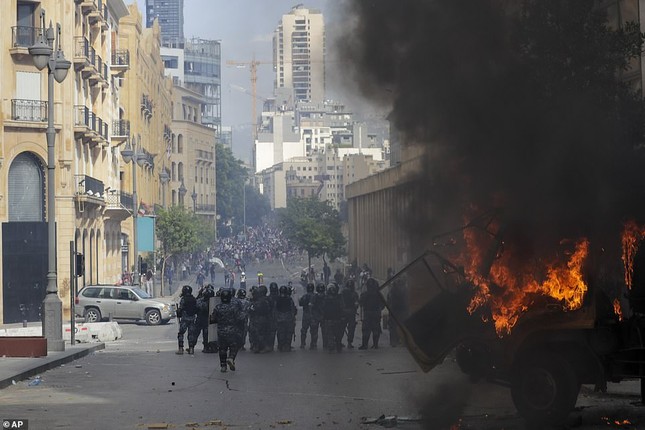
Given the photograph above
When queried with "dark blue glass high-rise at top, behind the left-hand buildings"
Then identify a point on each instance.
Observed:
(171, 20)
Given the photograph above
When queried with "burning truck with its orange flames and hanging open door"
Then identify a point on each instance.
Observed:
(542, 327)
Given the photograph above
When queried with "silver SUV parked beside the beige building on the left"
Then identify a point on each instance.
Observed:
(98, 302)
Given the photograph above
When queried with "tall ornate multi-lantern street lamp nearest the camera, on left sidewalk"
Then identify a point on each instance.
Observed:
(43, 55)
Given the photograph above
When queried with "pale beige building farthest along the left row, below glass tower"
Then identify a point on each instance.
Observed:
(192, 155)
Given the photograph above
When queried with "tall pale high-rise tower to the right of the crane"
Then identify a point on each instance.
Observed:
(299, 54)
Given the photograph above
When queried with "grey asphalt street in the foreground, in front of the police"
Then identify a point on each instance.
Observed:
(138, 382)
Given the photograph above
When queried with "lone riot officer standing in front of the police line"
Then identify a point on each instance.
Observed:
(228, 316)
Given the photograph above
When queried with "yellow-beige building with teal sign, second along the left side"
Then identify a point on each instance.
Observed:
(147, 106)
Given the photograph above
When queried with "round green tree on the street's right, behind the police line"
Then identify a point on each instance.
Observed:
(312, 226)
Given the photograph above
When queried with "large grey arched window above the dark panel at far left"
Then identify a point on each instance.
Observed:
(26, 189)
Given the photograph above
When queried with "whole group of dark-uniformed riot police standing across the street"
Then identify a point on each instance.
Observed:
(270, 314)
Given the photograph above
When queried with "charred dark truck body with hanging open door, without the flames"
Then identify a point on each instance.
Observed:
(547, 356)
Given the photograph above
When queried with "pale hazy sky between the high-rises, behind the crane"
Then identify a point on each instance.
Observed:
(245, 28)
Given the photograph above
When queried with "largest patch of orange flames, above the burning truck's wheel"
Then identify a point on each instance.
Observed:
(510, 291)
